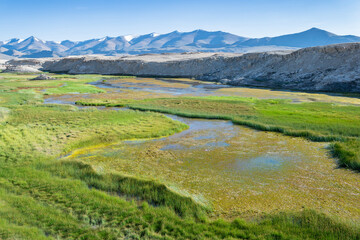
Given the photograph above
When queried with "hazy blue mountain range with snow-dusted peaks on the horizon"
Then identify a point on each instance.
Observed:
(195, 41)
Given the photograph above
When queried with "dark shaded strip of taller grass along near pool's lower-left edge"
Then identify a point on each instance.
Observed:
(156, 194)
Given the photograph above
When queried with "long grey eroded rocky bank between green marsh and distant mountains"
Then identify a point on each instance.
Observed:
(333, 68)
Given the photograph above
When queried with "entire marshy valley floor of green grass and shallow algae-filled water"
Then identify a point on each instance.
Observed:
(109, 172)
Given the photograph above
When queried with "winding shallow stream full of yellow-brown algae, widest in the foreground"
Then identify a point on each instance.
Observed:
(237, 170)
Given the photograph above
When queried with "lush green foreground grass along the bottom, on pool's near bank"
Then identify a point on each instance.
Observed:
(77, 203)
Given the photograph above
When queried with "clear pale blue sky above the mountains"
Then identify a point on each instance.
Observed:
(85, 19)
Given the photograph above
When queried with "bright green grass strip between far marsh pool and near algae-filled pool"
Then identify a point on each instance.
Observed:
(316, 121)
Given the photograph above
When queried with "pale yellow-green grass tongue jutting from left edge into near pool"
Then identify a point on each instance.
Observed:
(55, 129)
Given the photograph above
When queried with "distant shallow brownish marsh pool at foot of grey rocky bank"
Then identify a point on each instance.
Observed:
(189, 87)
